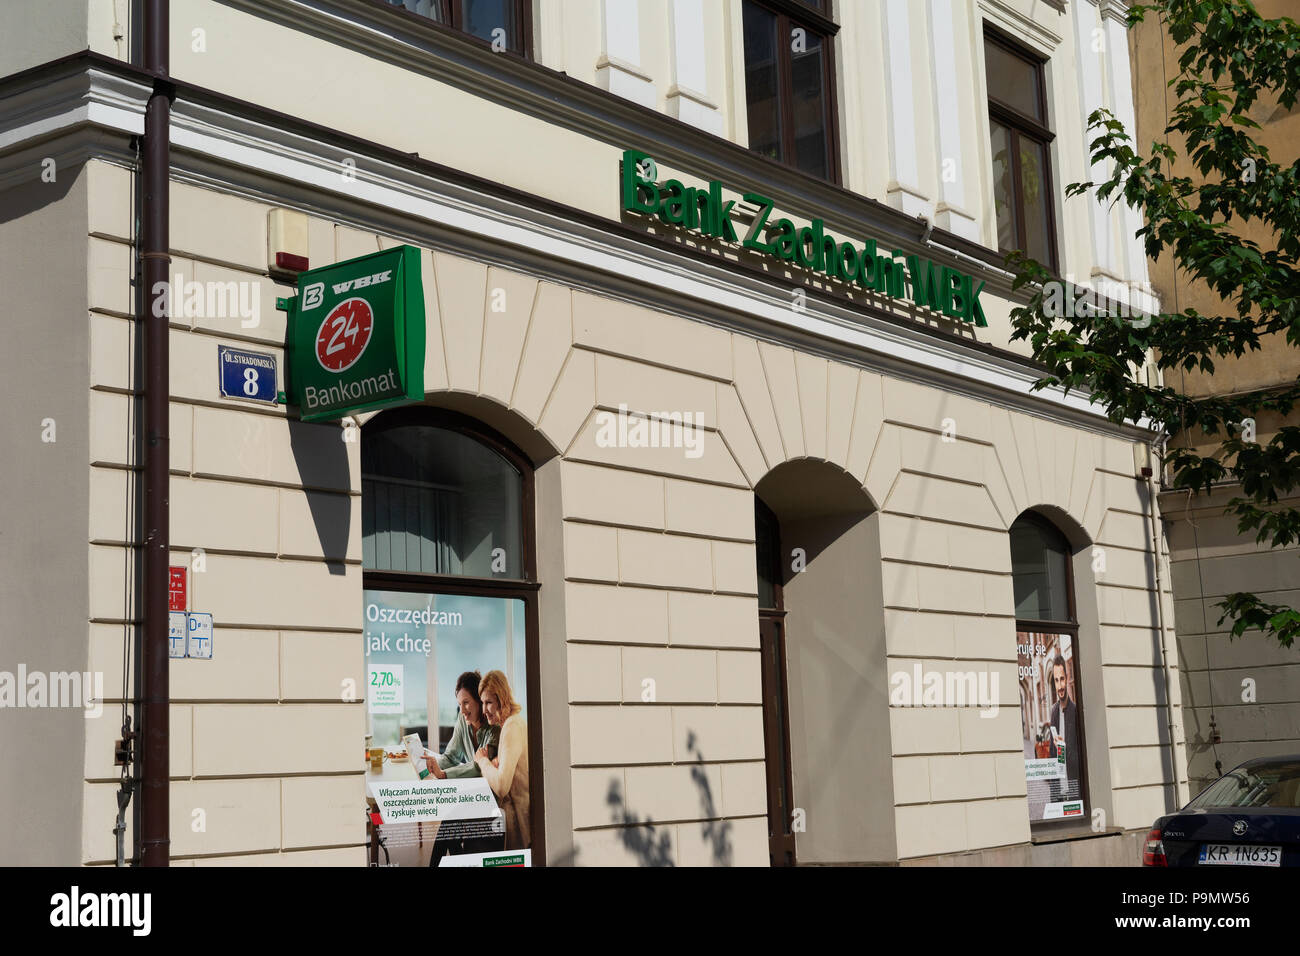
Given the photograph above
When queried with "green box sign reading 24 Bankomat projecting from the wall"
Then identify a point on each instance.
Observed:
(356, 336)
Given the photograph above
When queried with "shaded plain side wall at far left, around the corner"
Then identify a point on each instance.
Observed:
(44, 565)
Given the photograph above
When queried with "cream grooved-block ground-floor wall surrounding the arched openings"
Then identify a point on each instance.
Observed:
(657, 555)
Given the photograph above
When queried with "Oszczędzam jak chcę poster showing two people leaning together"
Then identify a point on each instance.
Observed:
(448, 752)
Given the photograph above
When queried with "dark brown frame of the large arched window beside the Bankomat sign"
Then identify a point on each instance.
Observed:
(519, 589)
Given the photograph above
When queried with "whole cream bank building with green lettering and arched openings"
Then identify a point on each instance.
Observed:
(781, 553)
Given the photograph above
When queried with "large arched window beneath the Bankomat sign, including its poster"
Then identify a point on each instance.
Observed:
(449, 590)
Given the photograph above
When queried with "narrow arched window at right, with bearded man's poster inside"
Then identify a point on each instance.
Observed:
(1047, 651)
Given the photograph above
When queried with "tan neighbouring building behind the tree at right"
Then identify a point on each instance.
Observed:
(1241, 697)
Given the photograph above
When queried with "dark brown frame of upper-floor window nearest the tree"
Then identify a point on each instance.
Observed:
(1019, 126)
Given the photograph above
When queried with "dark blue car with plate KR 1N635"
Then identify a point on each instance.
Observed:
(1249, 817)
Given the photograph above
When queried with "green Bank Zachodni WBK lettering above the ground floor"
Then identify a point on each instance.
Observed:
(939, 289)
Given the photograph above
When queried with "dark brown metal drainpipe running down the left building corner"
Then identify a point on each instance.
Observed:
(155, 241)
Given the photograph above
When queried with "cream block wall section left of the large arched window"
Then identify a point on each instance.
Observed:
(255, 733)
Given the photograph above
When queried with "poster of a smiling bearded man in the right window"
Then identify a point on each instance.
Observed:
(1050, 724)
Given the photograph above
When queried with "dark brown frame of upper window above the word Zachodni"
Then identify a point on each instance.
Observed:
(791, 14)
